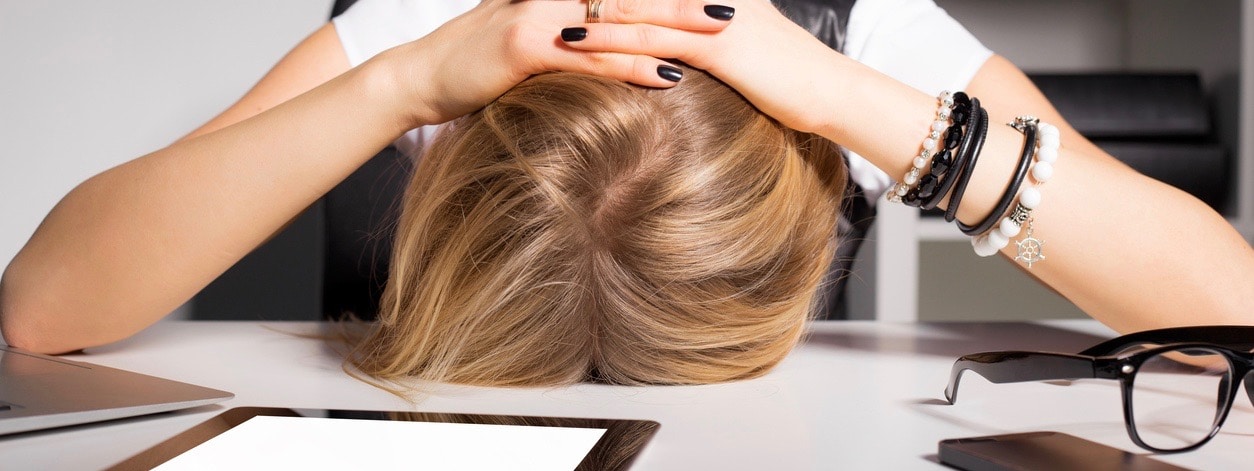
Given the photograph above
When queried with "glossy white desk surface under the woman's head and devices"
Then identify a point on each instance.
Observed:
(856, 395)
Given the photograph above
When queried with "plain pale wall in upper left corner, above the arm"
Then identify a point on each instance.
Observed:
(86, 86)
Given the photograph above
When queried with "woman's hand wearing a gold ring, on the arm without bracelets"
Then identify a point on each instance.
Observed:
(480, 56)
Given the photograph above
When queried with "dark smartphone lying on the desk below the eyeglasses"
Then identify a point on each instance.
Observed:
(1041, 452)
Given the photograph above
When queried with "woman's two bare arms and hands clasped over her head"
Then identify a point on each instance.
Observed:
(236, 181)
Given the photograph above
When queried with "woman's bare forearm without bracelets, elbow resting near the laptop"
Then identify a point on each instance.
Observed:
(131, 245)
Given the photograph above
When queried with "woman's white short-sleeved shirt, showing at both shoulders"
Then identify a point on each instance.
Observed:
(915, 42)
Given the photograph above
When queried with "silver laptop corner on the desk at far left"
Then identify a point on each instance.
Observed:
(38, 391)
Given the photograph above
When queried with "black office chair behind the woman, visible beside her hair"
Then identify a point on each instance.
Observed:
(361, 214)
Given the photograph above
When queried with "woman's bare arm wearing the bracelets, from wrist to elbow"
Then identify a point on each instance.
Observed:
(1128, 250)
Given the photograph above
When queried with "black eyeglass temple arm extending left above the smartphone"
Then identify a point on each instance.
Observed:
(1006, 368)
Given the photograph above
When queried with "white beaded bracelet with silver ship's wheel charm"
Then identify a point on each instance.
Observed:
(1030, 249)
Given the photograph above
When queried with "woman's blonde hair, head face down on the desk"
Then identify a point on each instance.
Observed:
(584, 230)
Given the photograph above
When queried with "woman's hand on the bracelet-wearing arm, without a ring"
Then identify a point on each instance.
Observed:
(764, 56)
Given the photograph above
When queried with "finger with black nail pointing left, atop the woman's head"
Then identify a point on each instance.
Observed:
(650, 41)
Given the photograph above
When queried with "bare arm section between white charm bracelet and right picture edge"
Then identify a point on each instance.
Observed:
(1137, 254)
